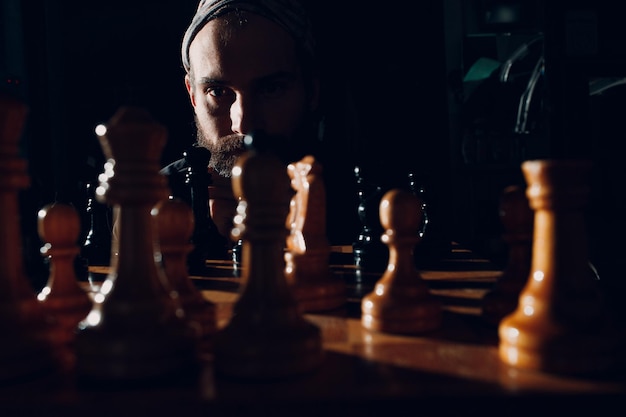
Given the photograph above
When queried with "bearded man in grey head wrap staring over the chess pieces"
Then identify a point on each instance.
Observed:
(250, 68)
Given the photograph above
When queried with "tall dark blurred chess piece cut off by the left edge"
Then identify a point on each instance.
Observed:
(26, 349)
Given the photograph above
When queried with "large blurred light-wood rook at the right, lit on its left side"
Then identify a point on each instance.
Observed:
(561, 323)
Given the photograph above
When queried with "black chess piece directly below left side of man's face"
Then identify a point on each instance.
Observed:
(207, 242)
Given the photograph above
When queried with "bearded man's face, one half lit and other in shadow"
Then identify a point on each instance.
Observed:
(244, 78)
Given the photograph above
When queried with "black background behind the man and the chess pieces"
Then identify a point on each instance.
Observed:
(394, 91)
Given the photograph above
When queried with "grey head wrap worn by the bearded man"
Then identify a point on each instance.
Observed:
(289, 14)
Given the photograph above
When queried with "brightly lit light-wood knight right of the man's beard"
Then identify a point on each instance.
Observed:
(308, 251)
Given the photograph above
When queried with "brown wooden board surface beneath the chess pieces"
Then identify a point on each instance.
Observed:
(454, 370)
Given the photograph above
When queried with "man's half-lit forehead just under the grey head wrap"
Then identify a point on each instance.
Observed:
(233, 51)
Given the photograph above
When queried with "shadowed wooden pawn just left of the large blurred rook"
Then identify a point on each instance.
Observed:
(517, 219)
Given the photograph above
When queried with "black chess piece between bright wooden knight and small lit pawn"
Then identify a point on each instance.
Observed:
(369, 252)
